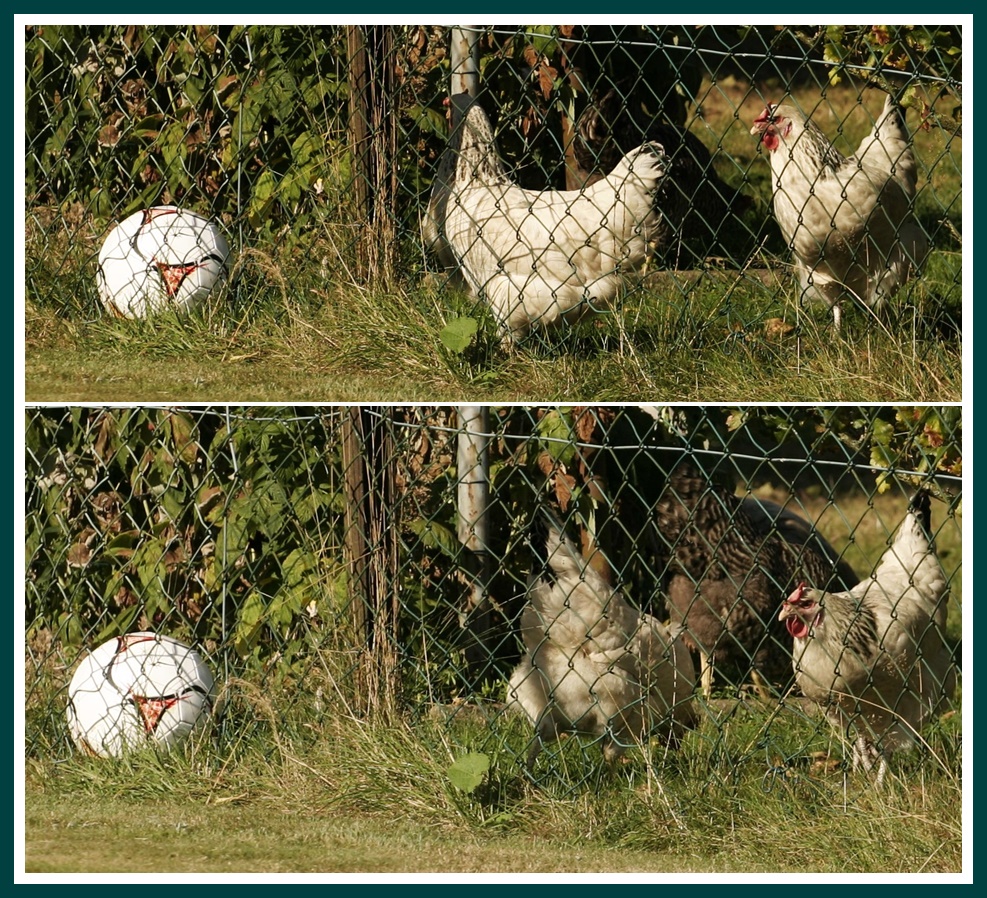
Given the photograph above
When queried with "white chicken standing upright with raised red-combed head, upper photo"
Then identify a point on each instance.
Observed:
(848, 221)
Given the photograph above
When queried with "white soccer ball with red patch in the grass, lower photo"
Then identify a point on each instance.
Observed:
(135, 691)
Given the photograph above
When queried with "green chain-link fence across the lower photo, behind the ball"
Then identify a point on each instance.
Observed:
(376, 560)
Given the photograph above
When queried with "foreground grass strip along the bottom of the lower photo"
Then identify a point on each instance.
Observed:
(343, 794)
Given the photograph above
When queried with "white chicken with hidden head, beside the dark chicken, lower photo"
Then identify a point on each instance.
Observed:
(595, 665)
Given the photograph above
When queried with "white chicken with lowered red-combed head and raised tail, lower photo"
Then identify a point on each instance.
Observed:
(875, 657)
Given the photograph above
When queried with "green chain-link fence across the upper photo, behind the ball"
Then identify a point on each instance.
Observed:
(316, 147)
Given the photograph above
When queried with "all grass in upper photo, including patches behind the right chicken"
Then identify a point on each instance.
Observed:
(298, 325)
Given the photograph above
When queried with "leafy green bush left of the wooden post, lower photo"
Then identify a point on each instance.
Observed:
(174, 520)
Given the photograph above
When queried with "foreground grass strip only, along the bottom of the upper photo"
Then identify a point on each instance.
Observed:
(356, 344)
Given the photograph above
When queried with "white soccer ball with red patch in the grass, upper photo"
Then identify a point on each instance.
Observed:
(161, 258)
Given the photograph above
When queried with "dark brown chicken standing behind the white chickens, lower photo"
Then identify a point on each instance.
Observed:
(730, 558)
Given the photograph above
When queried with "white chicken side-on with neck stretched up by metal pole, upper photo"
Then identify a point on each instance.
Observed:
(539, 257)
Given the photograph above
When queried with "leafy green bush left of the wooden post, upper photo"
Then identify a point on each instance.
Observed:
(221, 119)
